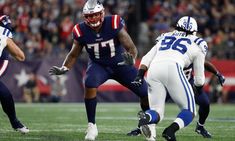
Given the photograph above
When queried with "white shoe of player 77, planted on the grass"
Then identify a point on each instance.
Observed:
(91, 132)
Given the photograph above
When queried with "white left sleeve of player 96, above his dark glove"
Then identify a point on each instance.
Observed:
(147, 59)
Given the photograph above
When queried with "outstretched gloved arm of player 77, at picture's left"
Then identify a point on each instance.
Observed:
(69, 61)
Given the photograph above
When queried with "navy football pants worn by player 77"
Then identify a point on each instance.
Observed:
(97, 75)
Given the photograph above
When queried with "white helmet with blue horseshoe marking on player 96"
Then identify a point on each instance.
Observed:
(187, 23)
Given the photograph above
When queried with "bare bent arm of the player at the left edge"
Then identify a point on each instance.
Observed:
(14, 50)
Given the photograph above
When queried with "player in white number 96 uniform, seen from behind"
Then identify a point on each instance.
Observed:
(165, 62)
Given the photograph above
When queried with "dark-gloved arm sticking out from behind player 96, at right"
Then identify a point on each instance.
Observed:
(211, 68)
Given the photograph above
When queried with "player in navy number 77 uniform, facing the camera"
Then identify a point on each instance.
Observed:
(111, 56)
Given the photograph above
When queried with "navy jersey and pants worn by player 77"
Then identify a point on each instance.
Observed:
(105, 52)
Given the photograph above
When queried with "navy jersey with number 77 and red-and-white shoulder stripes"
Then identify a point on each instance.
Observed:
(104, 47)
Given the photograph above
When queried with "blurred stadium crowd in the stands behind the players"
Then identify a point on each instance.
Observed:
(43, 27)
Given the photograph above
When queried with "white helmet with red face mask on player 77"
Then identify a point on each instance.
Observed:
(93, 12)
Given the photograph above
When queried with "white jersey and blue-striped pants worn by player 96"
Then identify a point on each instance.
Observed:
(165, 61)
